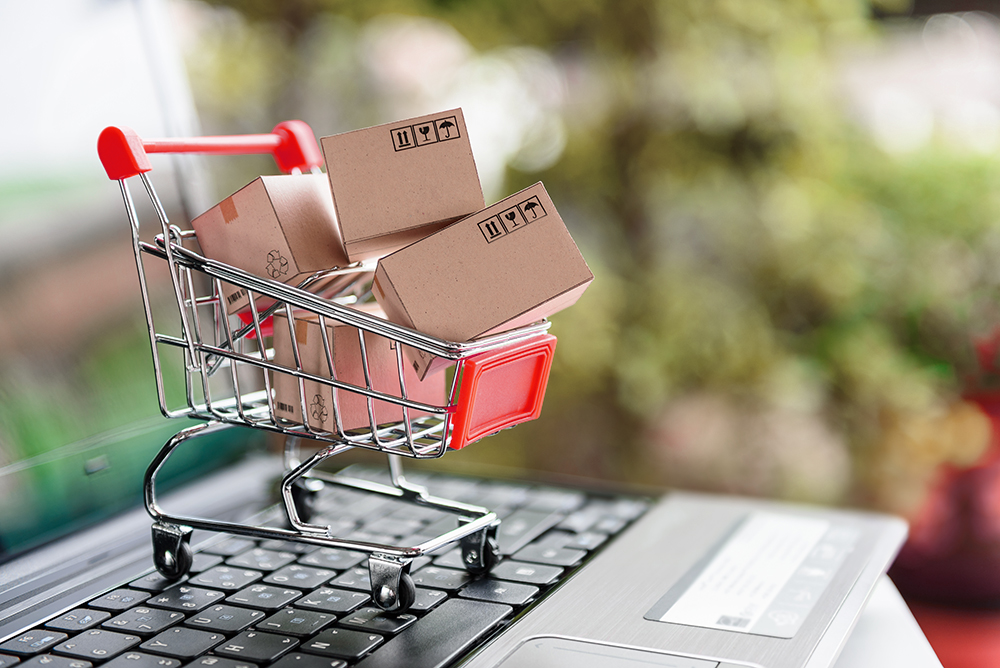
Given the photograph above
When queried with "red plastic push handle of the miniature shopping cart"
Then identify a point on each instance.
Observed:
(292, 143)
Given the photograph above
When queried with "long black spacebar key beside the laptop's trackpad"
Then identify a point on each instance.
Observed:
(442, 636)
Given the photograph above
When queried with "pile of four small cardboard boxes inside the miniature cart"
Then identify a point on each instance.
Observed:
(407, 193)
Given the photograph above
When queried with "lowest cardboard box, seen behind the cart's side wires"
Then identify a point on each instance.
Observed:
(348, 367)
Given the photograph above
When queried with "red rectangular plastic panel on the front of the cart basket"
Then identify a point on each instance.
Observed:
(502, 388)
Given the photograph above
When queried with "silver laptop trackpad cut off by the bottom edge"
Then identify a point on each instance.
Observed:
(550, 652)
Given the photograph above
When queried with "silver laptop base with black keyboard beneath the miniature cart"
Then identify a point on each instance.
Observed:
(586, 578)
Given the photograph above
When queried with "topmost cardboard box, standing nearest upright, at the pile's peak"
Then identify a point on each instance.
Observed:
(396, 183)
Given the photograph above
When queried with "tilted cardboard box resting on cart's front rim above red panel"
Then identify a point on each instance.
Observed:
(507, 266)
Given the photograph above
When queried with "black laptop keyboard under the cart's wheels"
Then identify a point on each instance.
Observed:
(253, 603)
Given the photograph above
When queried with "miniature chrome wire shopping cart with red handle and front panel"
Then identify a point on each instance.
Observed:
(229, 371)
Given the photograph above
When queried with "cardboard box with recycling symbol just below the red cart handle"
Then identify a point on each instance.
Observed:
(281, 227)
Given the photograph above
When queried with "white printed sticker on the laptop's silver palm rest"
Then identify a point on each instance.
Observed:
(764, 579)
